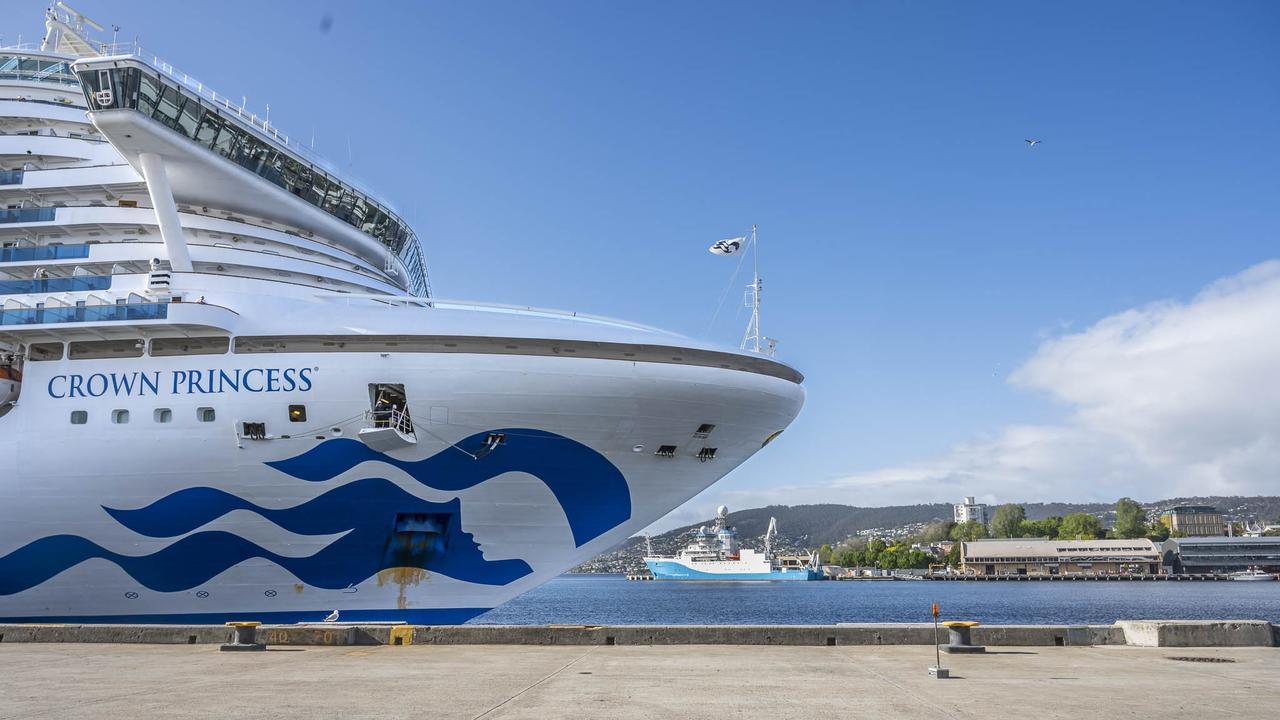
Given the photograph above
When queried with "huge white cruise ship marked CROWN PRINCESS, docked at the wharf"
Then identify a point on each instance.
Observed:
(227, 391)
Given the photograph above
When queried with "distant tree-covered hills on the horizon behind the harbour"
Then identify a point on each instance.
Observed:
(807, 527)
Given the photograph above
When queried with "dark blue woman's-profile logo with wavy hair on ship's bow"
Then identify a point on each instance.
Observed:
(589, 489)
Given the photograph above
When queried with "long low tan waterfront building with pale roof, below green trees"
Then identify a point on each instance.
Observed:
(1060, 558)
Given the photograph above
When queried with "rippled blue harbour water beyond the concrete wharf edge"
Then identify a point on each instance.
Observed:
(611, 600)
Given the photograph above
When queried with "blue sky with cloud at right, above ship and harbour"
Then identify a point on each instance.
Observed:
(916, 252)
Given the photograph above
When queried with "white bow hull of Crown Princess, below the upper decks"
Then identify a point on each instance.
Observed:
(179, 555)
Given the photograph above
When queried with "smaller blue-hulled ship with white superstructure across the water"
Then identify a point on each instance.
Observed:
(715, 555)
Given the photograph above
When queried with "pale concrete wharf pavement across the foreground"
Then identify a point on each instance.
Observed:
(493, 682)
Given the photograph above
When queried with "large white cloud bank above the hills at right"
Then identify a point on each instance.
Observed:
(1164, 400)
